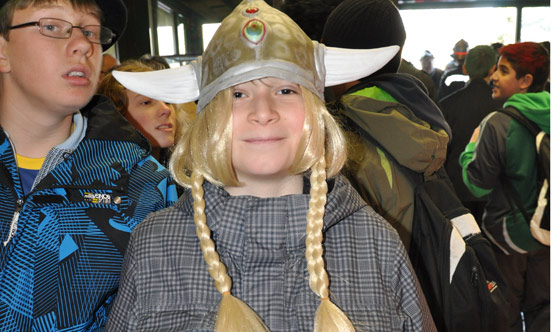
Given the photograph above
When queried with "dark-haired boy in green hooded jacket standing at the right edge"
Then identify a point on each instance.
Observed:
(501, 151)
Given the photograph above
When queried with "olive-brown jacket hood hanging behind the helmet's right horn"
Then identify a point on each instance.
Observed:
(414, 136)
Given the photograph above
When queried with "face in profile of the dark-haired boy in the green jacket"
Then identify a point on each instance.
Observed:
(505, 83)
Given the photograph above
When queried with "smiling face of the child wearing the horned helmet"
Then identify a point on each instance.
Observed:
(268, 116)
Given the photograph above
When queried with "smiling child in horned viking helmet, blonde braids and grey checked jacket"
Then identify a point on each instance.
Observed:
(288, 243)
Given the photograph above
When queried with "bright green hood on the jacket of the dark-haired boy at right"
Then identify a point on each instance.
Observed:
(535, 106)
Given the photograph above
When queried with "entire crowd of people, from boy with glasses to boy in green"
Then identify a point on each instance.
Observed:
(272, 184)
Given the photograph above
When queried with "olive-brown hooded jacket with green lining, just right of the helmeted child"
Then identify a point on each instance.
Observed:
(388, 142)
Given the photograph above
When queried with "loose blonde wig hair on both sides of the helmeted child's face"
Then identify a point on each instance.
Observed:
(206, 146)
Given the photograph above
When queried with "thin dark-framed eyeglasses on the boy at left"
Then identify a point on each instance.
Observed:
(60, 29)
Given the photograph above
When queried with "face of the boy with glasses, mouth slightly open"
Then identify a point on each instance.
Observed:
(57, 75)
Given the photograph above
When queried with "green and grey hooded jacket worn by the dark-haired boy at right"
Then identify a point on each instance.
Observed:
(501, 151)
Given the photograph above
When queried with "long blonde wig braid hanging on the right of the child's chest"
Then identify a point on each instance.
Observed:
(329, 318)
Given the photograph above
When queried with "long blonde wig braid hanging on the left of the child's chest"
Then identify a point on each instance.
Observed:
(233, 314)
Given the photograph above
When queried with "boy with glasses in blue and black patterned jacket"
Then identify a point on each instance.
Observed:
(75, 177)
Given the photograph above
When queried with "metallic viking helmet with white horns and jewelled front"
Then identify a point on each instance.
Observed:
(253, 42)
